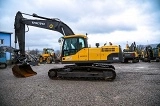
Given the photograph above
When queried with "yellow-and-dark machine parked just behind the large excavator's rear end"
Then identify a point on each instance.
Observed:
(130, 53)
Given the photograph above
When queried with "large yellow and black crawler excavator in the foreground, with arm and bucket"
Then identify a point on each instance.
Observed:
(86, 61)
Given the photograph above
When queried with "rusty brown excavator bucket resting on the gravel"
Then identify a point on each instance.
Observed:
(22, 71)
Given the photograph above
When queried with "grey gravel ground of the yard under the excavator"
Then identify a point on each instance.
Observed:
(136, 84)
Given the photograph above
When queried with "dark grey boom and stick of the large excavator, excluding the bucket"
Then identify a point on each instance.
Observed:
(45, 23)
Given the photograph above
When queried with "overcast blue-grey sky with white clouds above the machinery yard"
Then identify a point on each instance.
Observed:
(116, 21)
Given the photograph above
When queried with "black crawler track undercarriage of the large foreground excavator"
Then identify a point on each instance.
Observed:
(107, 72)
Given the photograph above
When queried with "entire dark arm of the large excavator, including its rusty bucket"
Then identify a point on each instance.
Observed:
(23, 69)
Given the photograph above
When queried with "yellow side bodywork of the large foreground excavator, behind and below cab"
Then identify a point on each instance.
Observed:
(90, 54)
